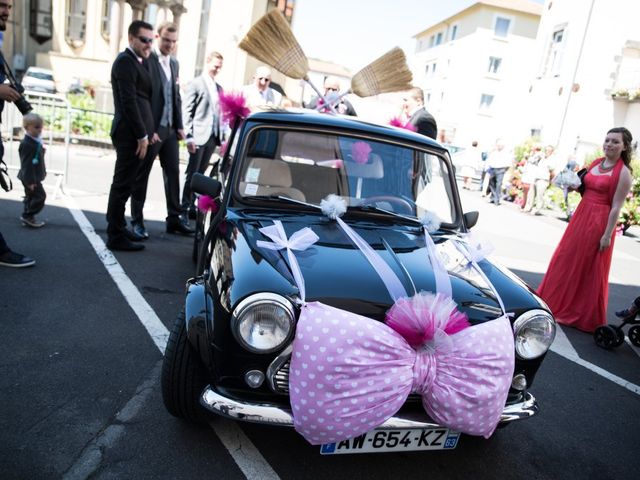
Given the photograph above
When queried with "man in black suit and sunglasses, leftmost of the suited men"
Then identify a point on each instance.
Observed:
(131, 131)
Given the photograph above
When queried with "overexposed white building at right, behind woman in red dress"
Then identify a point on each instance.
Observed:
(587, 76)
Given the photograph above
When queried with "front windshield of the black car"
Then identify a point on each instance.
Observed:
(308, 166)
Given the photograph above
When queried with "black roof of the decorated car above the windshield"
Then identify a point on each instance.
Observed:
(306, 117)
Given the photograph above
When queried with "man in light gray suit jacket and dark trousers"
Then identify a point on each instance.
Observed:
(202, 126)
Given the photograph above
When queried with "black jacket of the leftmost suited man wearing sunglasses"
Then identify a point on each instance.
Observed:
(131, 84)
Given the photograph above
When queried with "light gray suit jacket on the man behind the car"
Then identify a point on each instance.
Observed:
(199, 111)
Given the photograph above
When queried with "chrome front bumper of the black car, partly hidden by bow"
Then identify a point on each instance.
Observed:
(270, 414)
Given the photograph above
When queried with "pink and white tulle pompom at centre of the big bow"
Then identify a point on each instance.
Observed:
(418, 318)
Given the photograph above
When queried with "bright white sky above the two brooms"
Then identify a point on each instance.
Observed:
(353, 33)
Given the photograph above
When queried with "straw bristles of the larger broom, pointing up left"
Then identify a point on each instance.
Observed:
(271, 40)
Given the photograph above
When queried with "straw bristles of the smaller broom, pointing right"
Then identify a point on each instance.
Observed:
(389, 73)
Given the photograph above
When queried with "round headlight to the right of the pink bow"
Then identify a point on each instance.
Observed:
(534, 332)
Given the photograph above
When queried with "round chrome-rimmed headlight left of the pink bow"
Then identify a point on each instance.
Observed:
(263, 323)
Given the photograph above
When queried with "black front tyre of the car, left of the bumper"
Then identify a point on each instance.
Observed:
(183, 376)
